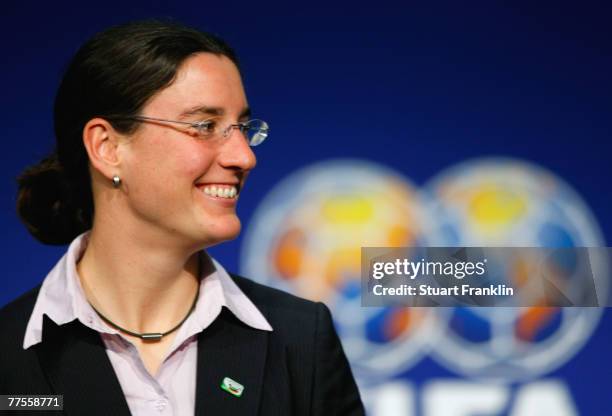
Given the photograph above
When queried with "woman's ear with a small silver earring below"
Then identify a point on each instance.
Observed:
(101, 141)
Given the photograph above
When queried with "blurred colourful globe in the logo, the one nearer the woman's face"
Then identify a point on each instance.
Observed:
(306, 238)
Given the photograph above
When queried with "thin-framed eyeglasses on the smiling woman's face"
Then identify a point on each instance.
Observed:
(255, 130)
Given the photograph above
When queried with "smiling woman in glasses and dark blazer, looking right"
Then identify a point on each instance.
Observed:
(153, 149)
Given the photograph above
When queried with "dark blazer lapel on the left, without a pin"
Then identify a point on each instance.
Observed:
(75, 362)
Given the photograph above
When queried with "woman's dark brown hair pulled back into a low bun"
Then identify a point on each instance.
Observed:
(114, 73)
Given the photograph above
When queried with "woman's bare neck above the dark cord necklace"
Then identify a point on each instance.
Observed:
(139, 285)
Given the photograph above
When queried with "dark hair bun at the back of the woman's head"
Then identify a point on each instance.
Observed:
(45, 204)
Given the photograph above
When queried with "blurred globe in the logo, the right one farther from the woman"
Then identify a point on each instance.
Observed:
(504, 202)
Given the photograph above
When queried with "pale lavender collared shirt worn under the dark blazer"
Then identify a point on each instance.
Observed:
(172, 390)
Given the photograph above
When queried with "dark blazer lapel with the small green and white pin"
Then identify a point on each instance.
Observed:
(229, 348)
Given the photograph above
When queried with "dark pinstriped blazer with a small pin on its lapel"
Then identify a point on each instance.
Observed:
(297, 369)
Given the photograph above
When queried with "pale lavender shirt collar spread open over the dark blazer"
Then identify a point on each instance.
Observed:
(62, 299)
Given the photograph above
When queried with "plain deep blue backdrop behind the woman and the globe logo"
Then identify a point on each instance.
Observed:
(415, 87)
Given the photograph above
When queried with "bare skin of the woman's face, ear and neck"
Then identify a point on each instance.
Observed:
(140, 266)
